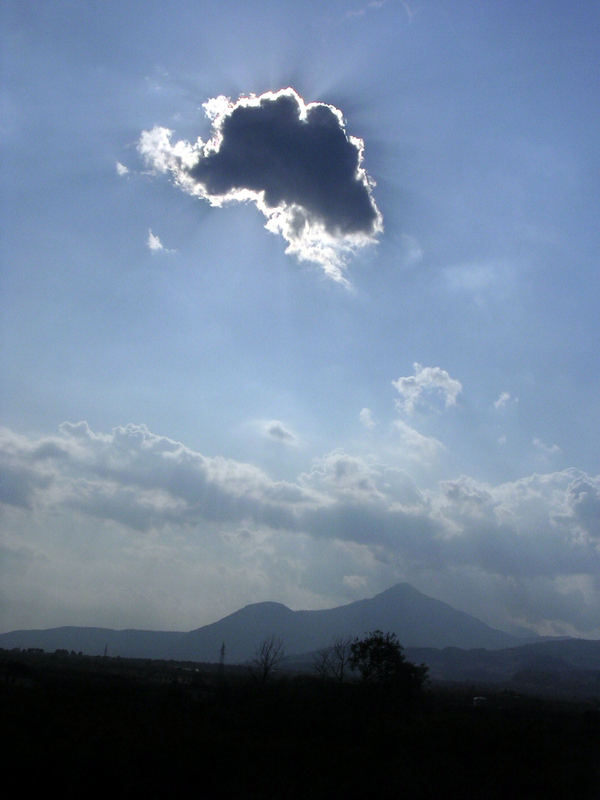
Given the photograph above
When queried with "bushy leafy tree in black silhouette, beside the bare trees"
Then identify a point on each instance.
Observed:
(379, 658)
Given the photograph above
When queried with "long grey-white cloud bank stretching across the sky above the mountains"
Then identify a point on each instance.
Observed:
(536, 538)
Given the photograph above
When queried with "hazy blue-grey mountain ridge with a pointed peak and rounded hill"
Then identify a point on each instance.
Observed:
(419, 621)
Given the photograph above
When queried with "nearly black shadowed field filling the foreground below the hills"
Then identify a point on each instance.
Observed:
(156, 729)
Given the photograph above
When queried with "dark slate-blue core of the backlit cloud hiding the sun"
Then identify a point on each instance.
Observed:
(309, 162)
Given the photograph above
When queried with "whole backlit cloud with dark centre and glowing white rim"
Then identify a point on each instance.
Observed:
(293, 160)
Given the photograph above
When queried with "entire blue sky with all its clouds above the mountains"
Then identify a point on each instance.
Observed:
(300, 300)
